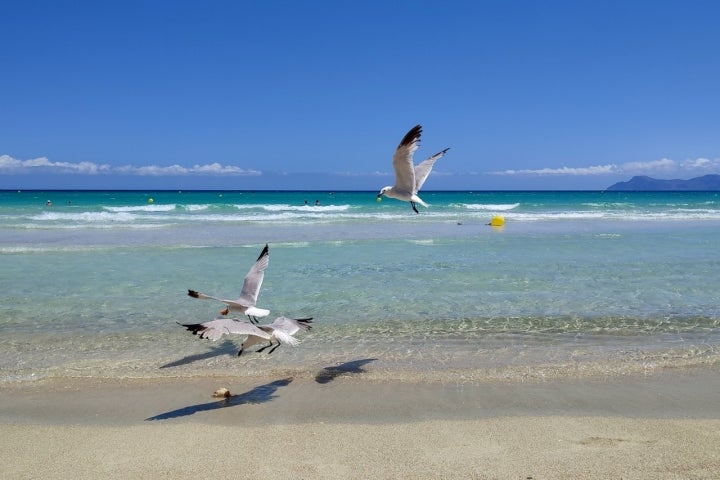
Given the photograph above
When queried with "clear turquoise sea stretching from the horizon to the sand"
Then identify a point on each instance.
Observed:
(92, 283)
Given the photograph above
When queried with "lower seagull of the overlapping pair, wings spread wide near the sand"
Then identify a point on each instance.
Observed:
(281, 331)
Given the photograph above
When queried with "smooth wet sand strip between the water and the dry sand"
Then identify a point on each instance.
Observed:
(350, 394)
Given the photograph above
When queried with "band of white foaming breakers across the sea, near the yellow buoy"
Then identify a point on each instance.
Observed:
(152, 216)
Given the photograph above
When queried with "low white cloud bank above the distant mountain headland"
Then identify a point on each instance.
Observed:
(697, 166)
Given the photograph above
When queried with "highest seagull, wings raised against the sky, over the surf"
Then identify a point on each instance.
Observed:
(409, 179)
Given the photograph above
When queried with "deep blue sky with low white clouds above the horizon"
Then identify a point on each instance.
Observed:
(317, 94)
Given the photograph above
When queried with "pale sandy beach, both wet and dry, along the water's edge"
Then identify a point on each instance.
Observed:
(341, 426)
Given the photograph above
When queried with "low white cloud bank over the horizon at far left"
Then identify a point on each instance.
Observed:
(10, 165)
